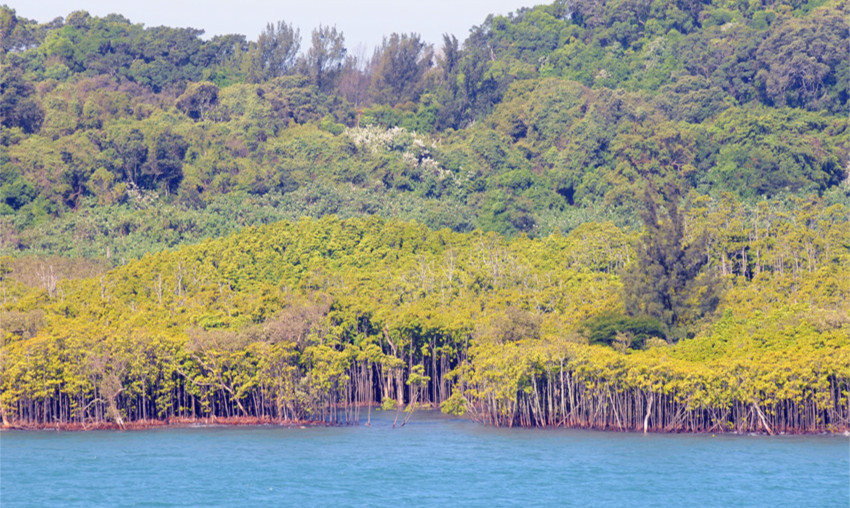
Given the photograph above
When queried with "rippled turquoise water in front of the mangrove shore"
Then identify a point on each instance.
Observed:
(433, 461)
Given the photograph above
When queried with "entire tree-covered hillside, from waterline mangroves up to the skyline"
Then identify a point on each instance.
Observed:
(602, 213)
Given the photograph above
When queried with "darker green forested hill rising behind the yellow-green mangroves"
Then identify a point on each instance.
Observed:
(121, 139)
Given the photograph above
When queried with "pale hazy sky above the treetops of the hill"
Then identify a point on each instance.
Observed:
(364, 23)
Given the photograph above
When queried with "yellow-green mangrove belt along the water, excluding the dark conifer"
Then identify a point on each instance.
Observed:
(295, 320)
